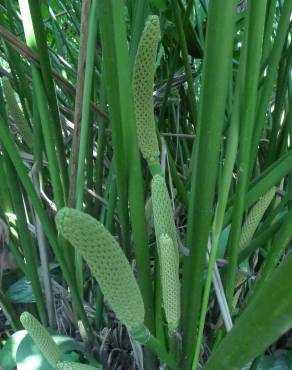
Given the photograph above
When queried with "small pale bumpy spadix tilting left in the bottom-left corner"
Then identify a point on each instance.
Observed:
(42, 338)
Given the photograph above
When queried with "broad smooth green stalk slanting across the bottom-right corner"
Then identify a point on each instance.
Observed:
(265, 319)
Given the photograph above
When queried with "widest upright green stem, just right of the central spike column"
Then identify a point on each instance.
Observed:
(204, 171)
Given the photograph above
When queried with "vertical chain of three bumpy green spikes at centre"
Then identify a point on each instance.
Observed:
(165, 230)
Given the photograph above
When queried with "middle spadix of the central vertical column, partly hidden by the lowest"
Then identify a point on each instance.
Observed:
(162, 211)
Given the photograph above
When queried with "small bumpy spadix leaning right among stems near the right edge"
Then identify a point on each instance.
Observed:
(254, 217)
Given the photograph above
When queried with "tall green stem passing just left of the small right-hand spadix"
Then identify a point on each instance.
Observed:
(254, 41)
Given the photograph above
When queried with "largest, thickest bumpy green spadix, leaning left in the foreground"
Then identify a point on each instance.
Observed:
(107, 262)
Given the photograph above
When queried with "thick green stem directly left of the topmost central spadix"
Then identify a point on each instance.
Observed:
(125, 144)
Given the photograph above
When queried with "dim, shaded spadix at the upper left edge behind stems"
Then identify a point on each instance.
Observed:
(16, 113)
